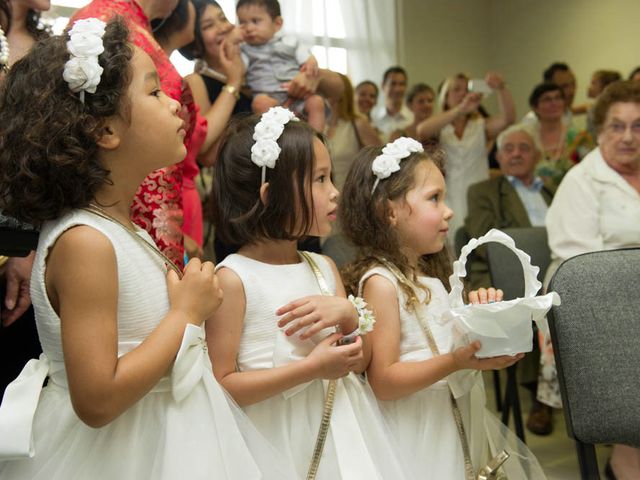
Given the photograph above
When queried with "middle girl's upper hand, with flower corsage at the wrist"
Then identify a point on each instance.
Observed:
(318, 312)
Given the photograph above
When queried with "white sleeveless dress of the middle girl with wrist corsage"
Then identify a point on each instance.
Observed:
(358, 445)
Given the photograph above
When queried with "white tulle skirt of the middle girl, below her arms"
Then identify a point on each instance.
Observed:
(358, 446)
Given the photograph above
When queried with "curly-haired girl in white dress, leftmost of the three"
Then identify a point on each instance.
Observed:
(130, 392)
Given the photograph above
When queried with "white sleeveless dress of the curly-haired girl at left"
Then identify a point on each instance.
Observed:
(185, 427)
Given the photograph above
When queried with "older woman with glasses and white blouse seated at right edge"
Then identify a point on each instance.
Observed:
(597, 207)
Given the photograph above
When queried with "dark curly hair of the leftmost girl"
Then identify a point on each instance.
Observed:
(49, 161)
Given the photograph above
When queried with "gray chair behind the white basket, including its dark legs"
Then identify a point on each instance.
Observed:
(506, 274)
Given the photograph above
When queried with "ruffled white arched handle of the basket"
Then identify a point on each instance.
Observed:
(531, 283)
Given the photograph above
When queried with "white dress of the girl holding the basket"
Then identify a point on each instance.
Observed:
(423, 424)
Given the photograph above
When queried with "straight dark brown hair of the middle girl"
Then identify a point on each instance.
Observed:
(238, 214)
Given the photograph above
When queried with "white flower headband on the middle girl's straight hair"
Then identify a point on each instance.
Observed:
(266, 150)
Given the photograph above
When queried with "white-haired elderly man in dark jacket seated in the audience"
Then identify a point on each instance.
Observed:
(517, 198)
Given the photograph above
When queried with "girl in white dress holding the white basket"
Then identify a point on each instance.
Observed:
(430, 391)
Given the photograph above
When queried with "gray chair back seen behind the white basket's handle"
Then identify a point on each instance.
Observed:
(504, 266)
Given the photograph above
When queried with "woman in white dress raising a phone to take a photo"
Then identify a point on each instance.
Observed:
(463, 134)
